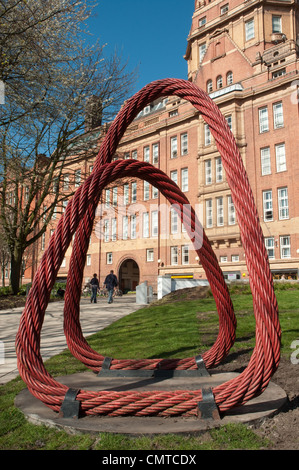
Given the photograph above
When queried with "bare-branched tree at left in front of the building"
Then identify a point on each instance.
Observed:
(53, 81)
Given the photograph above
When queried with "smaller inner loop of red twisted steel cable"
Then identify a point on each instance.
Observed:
(75, 340)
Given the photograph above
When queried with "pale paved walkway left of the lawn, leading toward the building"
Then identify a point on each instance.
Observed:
(93, 317)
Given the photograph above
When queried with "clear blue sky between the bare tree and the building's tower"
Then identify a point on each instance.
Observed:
(149, 35)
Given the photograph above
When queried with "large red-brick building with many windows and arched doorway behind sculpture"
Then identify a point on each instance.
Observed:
(245, 55)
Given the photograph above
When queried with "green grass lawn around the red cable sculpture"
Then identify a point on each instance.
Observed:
(178, 329)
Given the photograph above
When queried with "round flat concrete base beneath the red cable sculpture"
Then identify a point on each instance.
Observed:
(255, 410)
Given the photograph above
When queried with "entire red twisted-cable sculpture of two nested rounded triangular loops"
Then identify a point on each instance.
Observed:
(79, 217)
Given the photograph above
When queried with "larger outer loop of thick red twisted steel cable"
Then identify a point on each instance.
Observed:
(79, 215)
